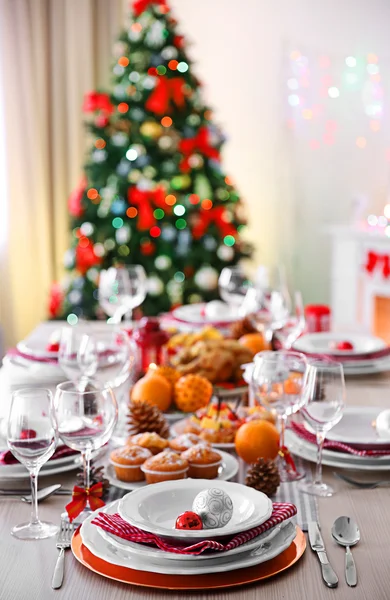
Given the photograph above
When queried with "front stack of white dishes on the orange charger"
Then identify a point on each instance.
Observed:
(156, 508)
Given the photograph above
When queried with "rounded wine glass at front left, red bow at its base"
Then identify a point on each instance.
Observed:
(86, 418)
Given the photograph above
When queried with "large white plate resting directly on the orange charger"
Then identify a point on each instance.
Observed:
(101, 549)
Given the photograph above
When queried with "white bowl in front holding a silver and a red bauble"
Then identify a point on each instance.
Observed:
(155, 508)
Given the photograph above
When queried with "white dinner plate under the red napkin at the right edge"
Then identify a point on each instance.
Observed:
(340, 460)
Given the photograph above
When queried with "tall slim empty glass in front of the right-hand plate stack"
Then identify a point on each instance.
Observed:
(324, 394)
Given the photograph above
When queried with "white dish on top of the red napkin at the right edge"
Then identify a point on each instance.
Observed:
(355, 427)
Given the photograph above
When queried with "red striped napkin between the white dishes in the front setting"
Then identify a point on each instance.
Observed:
(117, 526)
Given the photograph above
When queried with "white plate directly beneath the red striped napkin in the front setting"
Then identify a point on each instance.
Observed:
(157, 555)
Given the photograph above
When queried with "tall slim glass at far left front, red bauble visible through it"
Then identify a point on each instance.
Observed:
(32, 437)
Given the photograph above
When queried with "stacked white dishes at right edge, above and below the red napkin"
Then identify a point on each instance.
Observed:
(355, 429)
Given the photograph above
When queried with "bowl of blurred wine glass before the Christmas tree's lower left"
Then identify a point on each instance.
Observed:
(121, 289)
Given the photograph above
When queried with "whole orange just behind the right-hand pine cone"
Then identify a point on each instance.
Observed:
(257, 439)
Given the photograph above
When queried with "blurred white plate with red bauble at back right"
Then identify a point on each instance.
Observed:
(319, 343)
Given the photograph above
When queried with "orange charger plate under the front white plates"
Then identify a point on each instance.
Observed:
(191, 582)
